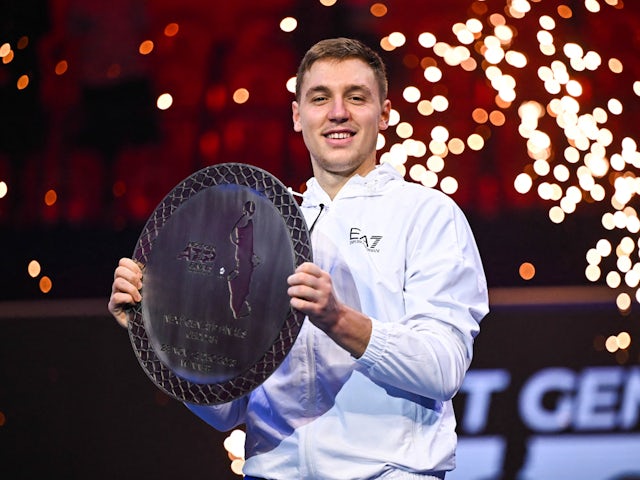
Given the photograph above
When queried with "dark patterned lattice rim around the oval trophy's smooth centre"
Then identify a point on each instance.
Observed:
(161, 375)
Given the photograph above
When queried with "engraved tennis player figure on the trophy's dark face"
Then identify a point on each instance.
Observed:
(239, 278)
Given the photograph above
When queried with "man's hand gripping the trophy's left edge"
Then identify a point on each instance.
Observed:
(125, 291)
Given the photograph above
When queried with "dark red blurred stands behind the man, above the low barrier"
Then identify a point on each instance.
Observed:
(94, 136)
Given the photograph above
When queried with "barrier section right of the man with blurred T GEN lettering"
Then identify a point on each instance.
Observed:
(545, 400)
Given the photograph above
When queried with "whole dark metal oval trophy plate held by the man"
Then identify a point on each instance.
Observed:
(215, 319)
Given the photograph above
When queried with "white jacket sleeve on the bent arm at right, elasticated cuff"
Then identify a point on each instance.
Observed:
(428, 351)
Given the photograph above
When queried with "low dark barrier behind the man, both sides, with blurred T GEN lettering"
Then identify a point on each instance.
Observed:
(542, 400)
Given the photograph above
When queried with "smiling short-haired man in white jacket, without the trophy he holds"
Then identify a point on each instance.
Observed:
(393, 300)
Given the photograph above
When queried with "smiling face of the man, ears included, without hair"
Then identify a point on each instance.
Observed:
(340, 113)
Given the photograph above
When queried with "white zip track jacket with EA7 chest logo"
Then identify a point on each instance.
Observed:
(404, 255)
